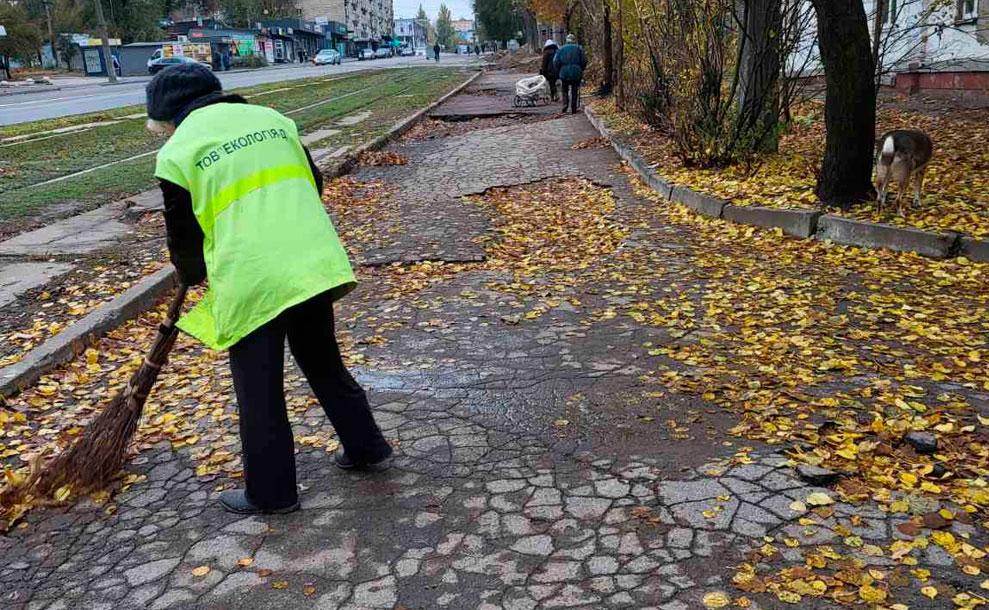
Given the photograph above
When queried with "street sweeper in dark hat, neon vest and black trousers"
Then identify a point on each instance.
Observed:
(243, 209)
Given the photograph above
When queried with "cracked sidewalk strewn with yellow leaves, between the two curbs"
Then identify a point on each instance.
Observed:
(565, 367)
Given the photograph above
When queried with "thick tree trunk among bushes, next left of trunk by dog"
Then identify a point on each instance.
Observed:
(759, 71)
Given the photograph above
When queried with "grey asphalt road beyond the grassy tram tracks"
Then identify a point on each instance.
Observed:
(101, 96)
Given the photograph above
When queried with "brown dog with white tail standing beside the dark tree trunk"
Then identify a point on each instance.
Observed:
(903, 157)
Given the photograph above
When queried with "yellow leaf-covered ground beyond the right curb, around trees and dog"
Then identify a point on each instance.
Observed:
(956, 189)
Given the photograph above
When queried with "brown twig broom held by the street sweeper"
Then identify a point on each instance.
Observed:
(101, 449)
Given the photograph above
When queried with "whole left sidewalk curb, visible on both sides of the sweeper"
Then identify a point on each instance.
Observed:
(142, 296)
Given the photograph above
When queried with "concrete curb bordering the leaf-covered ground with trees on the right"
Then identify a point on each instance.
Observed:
(803, 223)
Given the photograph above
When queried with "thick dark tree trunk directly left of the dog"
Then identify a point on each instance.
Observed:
(850, 103)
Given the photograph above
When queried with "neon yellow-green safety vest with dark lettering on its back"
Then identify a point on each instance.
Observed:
(268, 242)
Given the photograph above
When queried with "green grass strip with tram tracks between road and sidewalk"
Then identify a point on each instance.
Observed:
(29, 163)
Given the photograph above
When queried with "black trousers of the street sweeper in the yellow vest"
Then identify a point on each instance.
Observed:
(257, 362)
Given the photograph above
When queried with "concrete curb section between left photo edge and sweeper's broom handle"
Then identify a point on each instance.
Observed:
(66, 345)
